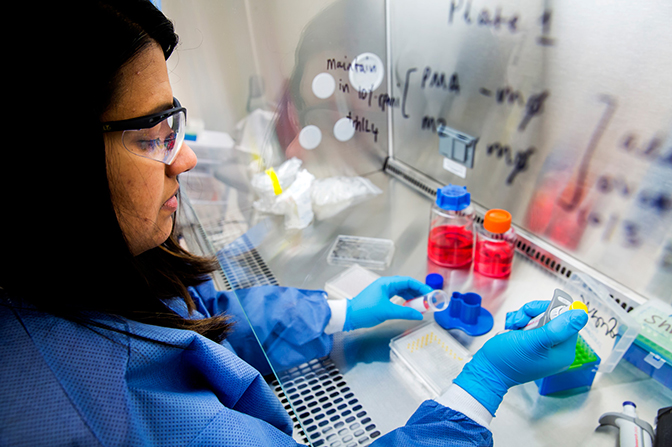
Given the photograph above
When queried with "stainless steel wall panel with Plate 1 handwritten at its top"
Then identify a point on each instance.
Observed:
(570, 102)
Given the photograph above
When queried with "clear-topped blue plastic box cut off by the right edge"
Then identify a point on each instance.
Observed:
(652, 349)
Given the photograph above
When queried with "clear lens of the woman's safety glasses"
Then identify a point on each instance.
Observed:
(161, 142)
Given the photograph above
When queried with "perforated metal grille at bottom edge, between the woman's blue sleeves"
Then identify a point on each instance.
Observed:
(327, 410)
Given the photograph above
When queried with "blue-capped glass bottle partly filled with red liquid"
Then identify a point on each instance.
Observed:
(451, 228)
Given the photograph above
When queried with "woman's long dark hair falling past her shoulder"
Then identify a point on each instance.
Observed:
(64, 251)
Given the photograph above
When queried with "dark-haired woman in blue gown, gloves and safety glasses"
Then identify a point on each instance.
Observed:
(116, 338)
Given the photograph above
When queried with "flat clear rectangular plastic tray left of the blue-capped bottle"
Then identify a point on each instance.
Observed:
(368, 252)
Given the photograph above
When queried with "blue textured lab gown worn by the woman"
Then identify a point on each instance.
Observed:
(65, 384)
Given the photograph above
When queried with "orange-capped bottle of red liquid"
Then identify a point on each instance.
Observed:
(495, 245)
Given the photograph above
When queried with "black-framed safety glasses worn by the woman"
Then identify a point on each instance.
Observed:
(158, 136)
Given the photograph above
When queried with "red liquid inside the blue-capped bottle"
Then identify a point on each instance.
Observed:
(450, 246)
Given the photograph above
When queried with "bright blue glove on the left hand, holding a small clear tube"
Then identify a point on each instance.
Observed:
(373, 306)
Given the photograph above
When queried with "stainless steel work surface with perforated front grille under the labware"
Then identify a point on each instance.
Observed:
(375, 395)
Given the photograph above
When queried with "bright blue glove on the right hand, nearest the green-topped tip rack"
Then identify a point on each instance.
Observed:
(517, 357)
